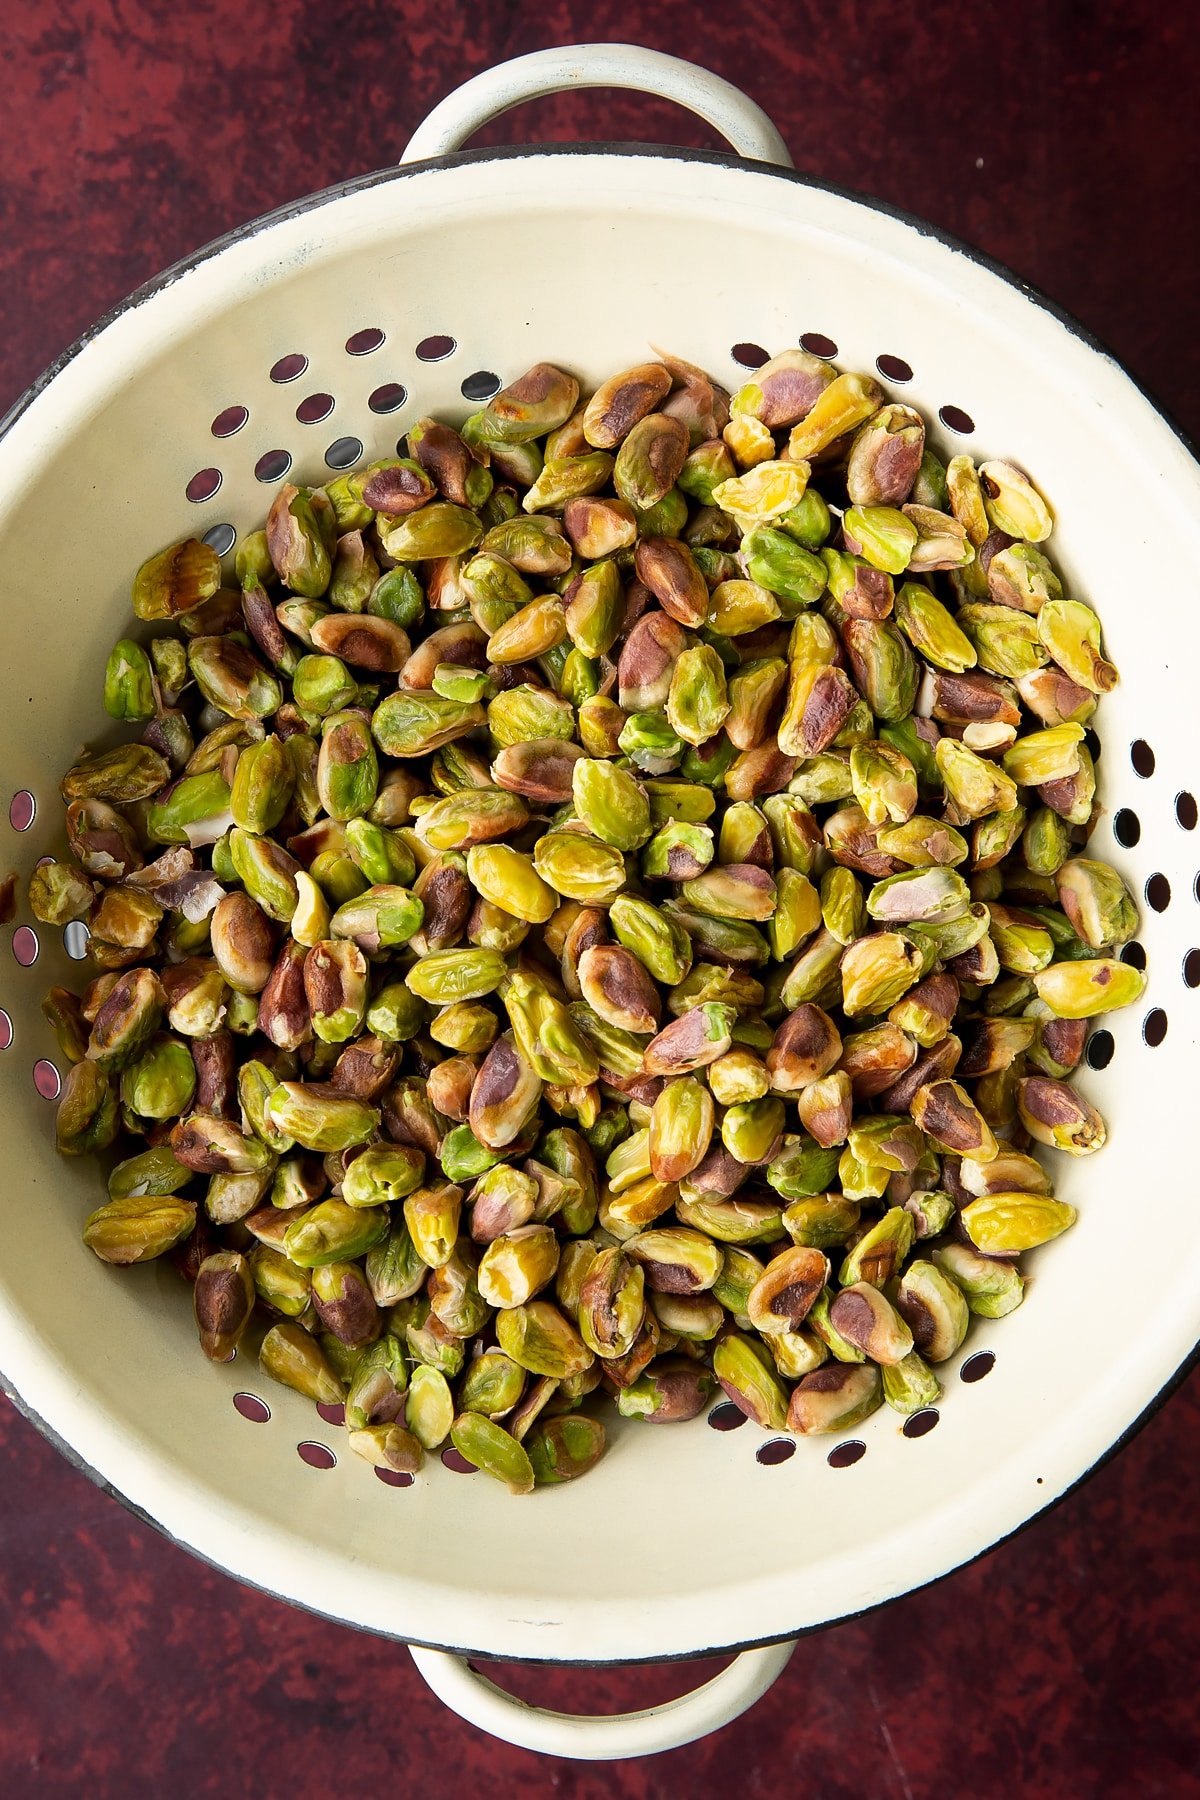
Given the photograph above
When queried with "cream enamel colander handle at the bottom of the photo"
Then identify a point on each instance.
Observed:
(602, 1740)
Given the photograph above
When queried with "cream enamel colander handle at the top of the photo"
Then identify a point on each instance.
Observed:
(598, 66)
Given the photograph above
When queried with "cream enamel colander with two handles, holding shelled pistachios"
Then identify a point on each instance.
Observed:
(312, 339)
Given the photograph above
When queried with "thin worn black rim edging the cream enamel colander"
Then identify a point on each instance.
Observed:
(654, 152)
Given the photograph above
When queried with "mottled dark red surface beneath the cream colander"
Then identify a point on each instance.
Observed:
(1062, 139)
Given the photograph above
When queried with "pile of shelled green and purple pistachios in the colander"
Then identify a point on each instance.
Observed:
(598, 908)
